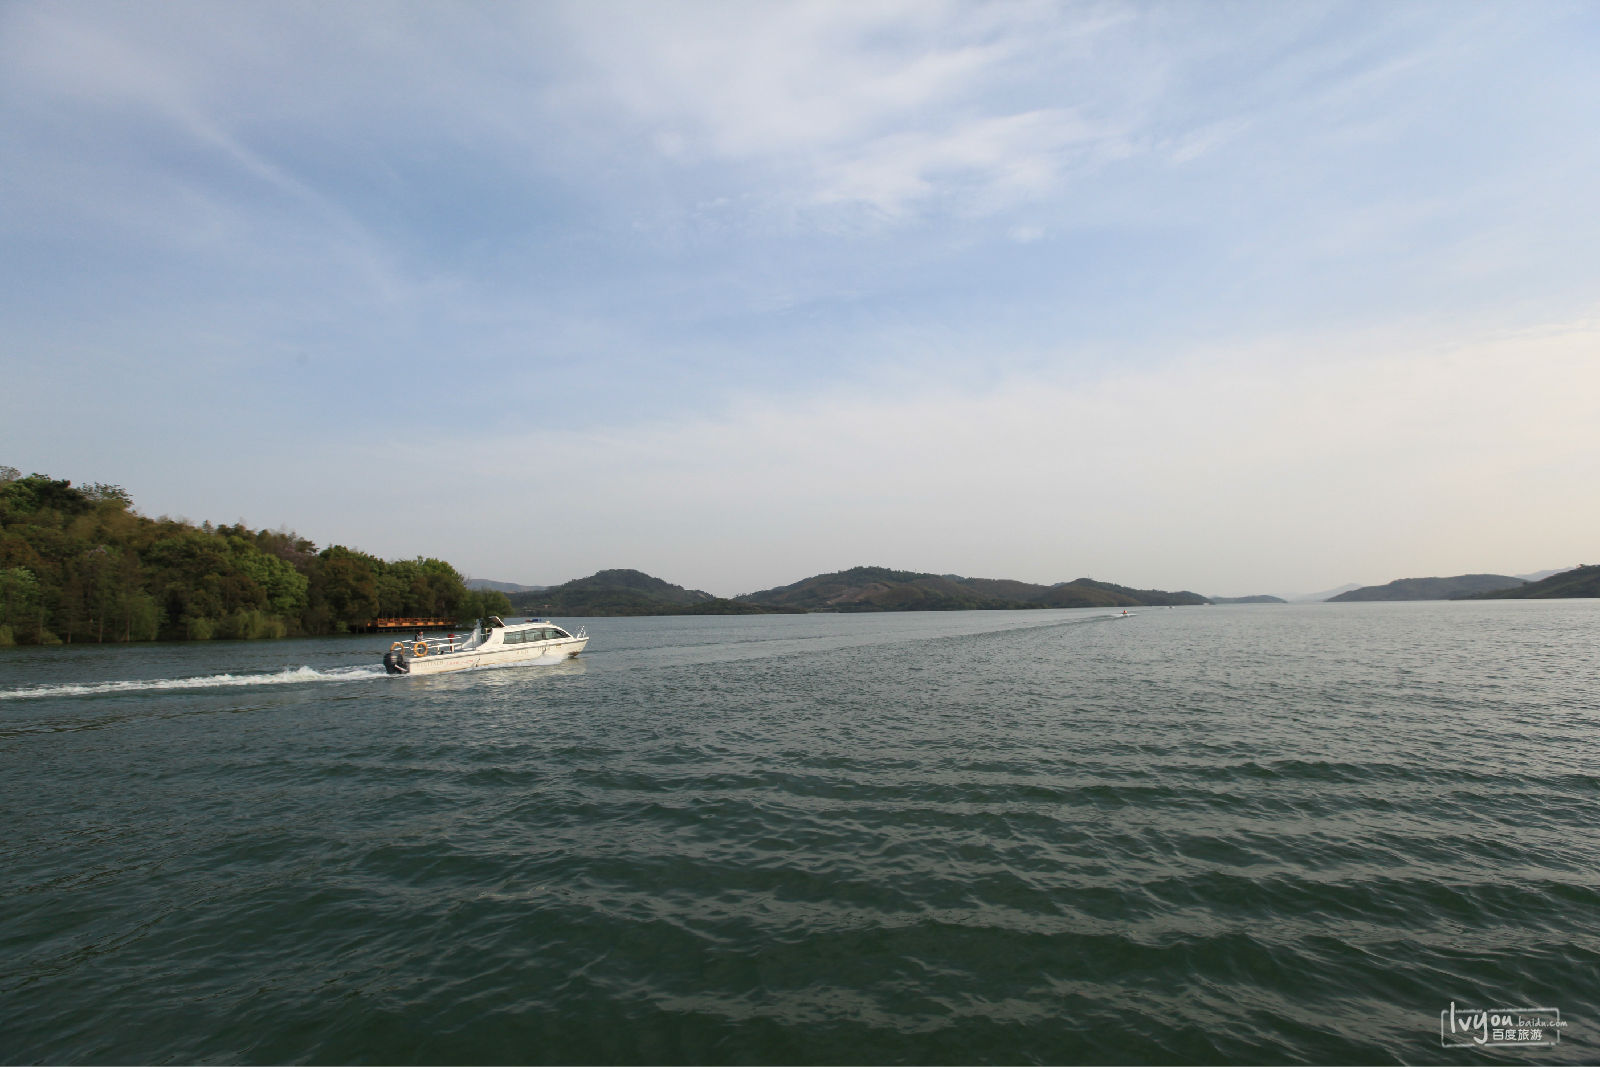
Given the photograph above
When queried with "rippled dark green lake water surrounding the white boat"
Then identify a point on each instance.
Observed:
(1258, 834)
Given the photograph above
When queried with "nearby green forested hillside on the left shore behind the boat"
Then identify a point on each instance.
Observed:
(79, 564)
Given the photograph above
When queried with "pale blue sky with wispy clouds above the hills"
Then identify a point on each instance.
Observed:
(1234, 298)
